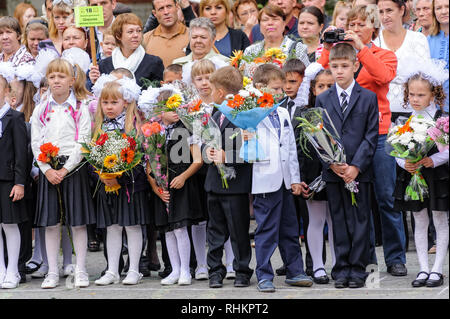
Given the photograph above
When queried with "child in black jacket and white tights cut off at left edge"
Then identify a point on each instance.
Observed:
(13, 177)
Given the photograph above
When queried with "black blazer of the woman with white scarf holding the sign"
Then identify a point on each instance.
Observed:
(151, 68)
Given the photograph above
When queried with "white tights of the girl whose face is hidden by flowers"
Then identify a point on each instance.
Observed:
(179, 250)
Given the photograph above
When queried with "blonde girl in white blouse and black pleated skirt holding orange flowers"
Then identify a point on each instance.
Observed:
(64, 198)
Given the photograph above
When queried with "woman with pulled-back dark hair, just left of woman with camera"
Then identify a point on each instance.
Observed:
(310, 24)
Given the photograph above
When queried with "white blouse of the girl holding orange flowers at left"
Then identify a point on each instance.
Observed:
(58, 127)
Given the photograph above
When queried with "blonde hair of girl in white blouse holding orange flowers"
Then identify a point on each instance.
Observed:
(63, 66)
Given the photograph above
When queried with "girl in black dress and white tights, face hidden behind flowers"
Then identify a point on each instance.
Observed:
(178, 205)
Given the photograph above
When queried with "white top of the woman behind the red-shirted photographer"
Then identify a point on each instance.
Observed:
(415, 44)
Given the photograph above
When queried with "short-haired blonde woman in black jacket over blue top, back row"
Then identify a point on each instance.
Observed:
(227, 39)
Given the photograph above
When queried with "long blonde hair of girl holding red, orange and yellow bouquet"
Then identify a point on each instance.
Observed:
(111, 91)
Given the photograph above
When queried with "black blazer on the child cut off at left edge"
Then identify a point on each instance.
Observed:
(13, 145)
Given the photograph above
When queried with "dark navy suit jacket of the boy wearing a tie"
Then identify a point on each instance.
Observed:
(358, 129)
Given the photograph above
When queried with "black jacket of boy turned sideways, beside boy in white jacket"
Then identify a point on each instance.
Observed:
(242, 183)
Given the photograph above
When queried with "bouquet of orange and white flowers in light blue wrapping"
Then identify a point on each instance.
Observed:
(246, 110)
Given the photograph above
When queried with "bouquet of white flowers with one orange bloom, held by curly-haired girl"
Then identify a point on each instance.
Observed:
(412, 142)
